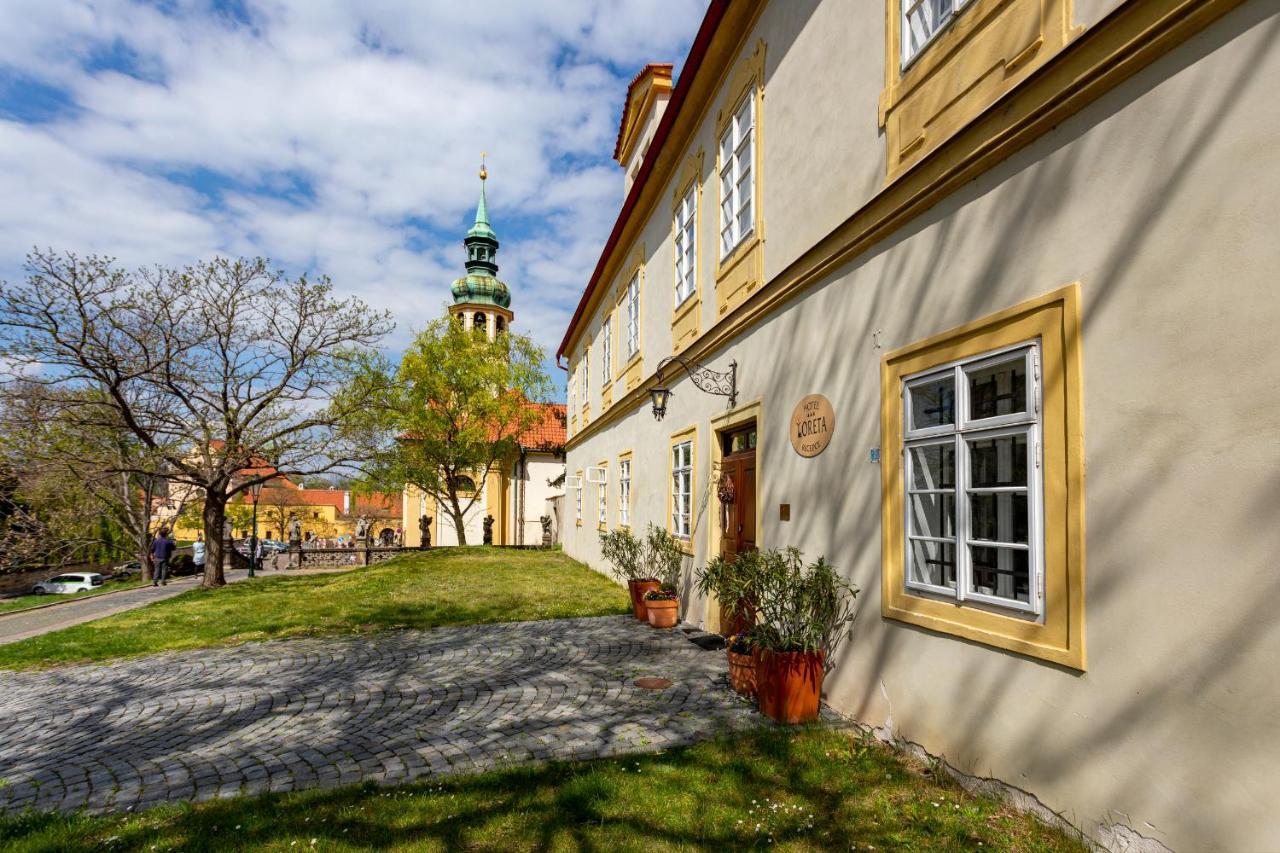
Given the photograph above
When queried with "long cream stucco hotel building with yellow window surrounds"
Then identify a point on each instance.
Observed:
(1028, 254)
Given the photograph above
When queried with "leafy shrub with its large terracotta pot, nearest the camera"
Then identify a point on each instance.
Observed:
(803, 614)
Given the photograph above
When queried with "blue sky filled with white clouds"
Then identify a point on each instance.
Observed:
(335, 138)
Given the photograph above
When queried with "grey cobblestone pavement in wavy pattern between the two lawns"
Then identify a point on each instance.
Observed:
(323, 713)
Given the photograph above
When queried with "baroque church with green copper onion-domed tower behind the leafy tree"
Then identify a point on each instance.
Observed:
(518, 494)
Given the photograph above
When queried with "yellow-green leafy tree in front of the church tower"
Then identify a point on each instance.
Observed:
(454, 412)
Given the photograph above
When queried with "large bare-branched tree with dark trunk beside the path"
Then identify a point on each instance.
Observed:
(225, 372)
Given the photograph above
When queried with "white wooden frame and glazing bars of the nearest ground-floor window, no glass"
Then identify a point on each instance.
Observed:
(958, 436)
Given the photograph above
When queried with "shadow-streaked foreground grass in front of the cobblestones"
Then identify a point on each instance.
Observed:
(807, 790)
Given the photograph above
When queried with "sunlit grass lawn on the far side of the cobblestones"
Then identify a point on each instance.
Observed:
(444, 587)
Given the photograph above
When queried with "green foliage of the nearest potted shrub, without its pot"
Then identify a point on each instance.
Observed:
(801, 608)
